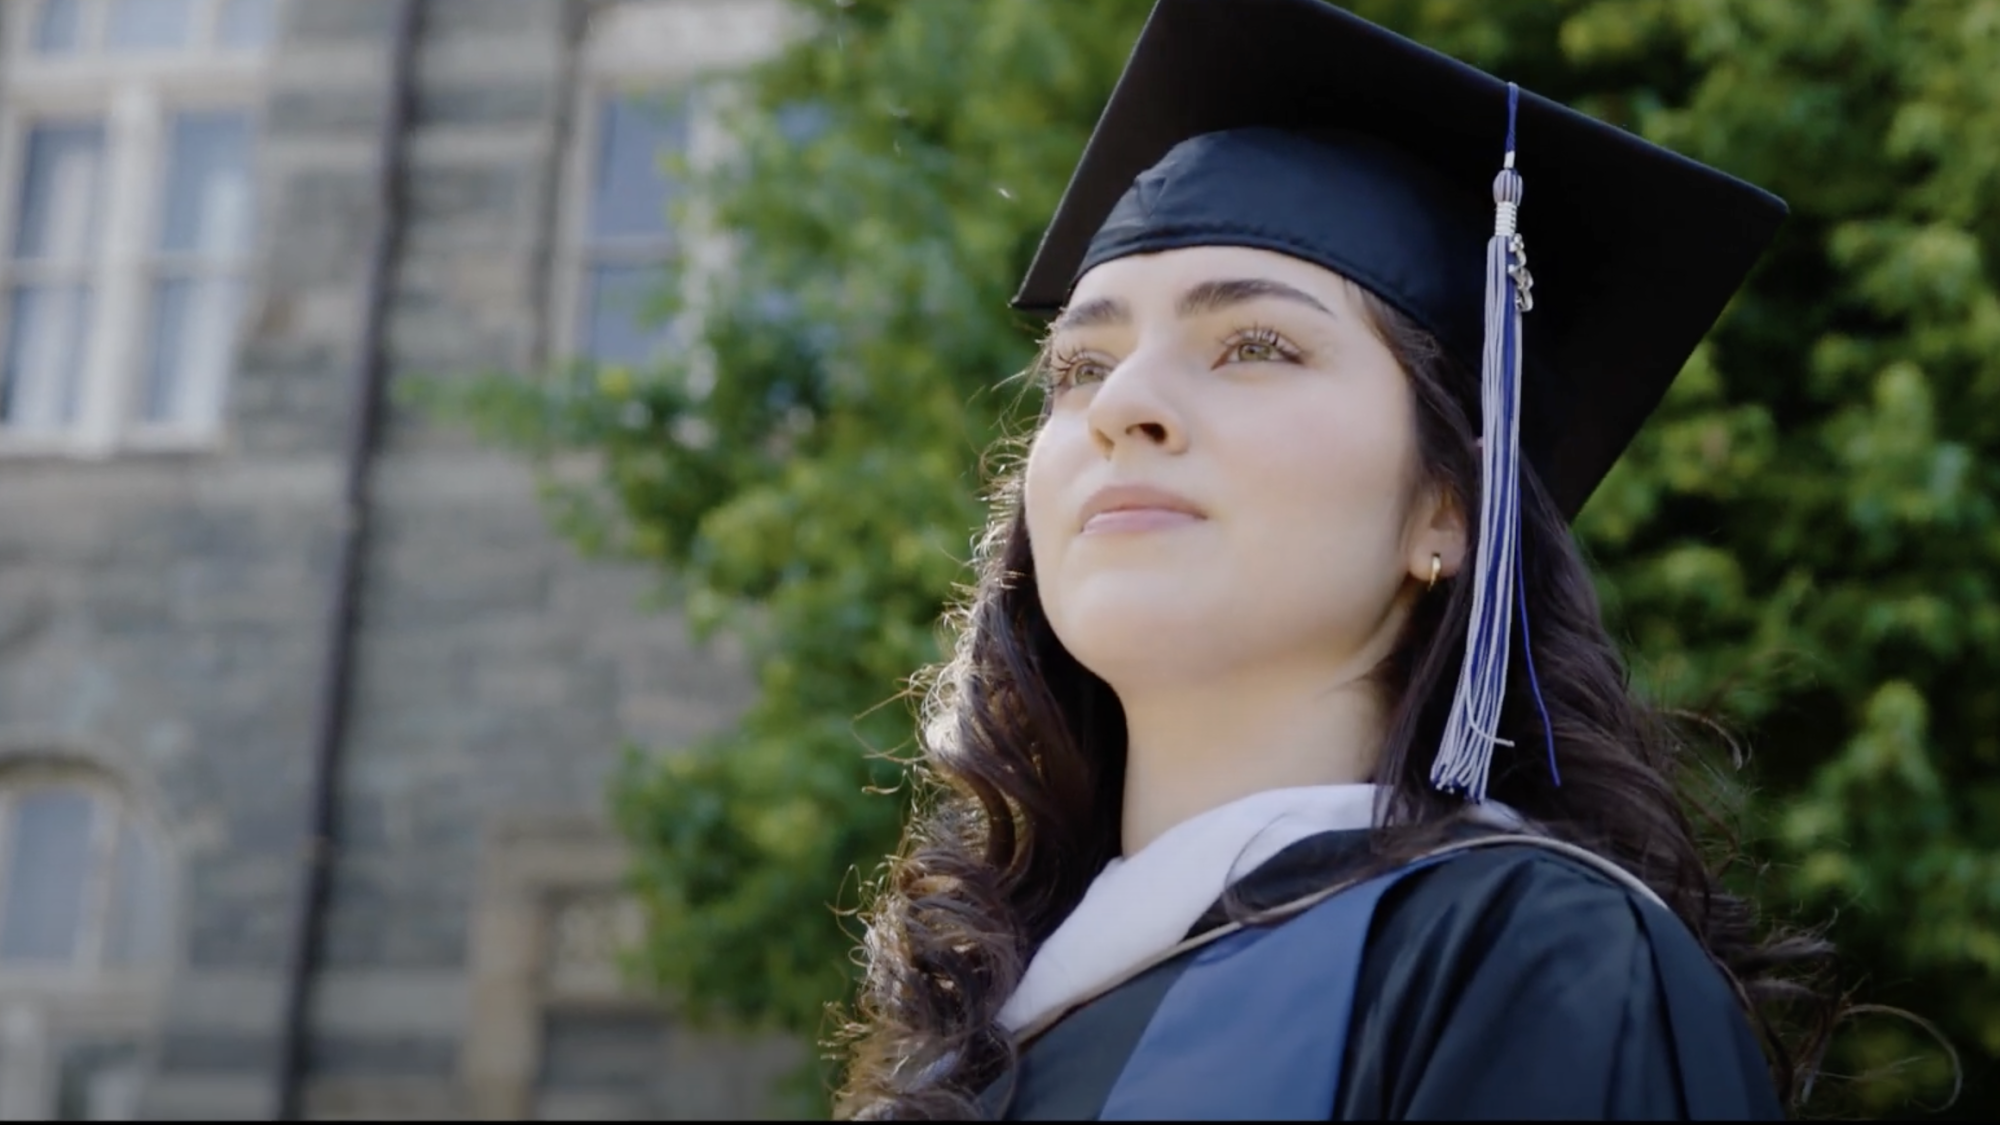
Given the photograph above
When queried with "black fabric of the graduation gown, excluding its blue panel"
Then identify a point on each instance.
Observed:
(1499, 984)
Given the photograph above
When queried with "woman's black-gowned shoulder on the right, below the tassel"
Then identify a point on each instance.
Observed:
(1525, 982)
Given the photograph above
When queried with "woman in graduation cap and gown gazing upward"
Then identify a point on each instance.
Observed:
(1285, 764)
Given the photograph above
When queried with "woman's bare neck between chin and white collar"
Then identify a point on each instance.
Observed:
(1197, 748)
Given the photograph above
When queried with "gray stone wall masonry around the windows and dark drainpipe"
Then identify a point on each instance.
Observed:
(165, 616)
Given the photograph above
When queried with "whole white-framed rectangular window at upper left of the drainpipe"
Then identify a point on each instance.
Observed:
(127, 195)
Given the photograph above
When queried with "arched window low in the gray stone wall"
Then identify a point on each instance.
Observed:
(83, 946)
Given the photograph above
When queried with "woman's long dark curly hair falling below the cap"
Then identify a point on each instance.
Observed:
(1023, 776)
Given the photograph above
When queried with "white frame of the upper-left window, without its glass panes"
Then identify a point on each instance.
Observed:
(135, 97)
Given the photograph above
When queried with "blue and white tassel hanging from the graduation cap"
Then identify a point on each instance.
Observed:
(1465, 758)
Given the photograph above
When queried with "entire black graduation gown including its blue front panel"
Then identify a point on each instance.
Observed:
(1497, 984)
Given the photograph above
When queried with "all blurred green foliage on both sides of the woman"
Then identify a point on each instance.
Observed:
(1805, 541)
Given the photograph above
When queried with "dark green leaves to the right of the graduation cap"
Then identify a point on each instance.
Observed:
(1807, 535)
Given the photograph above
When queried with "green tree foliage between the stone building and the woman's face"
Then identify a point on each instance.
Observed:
(809, 471)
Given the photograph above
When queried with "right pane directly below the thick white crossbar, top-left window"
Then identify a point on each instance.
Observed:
(209, 187)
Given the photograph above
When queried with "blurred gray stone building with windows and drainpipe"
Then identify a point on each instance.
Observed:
(305, 716)
